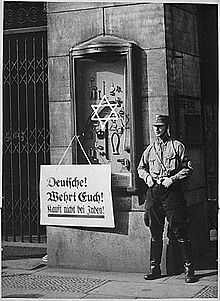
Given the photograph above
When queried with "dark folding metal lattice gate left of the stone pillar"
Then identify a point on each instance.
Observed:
(25, 132)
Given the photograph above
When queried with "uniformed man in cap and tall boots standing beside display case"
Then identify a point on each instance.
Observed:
(164, 167)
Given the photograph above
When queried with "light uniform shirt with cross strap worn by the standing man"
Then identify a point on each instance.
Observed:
(164, 158)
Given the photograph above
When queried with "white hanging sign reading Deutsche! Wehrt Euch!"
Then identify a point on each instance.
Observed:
(76, 195)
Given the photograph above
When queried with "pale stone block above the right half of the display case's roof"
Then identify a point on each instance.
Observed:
(142, 23)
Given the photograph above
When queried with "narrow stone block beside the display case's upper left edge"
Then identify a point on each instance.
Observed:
(59, 81)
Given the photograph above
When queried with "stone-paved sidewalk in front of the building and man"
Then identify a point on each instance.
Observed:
(31, 278)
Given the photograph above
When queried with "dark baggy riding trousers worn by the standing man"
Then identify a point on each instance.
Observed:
(164, 203)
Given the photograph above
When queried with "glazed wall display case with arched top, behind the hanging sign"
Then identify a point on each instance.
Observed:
(103, 105)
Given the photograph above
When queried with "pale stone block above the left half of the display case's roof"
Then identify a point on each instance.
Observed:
(70, 28)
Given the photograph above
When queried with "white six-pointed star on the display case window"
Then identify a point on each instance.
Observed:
(106, 109)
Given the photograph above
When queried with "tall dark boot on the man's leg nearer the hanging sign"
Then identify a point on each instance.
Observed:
(155, 259)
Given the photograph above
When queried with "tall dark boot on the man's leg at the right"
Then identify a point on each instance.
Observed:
(187, 258)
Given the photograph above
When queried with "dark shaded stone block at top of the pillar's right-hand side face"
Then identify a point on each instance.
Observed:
(181, 30)
